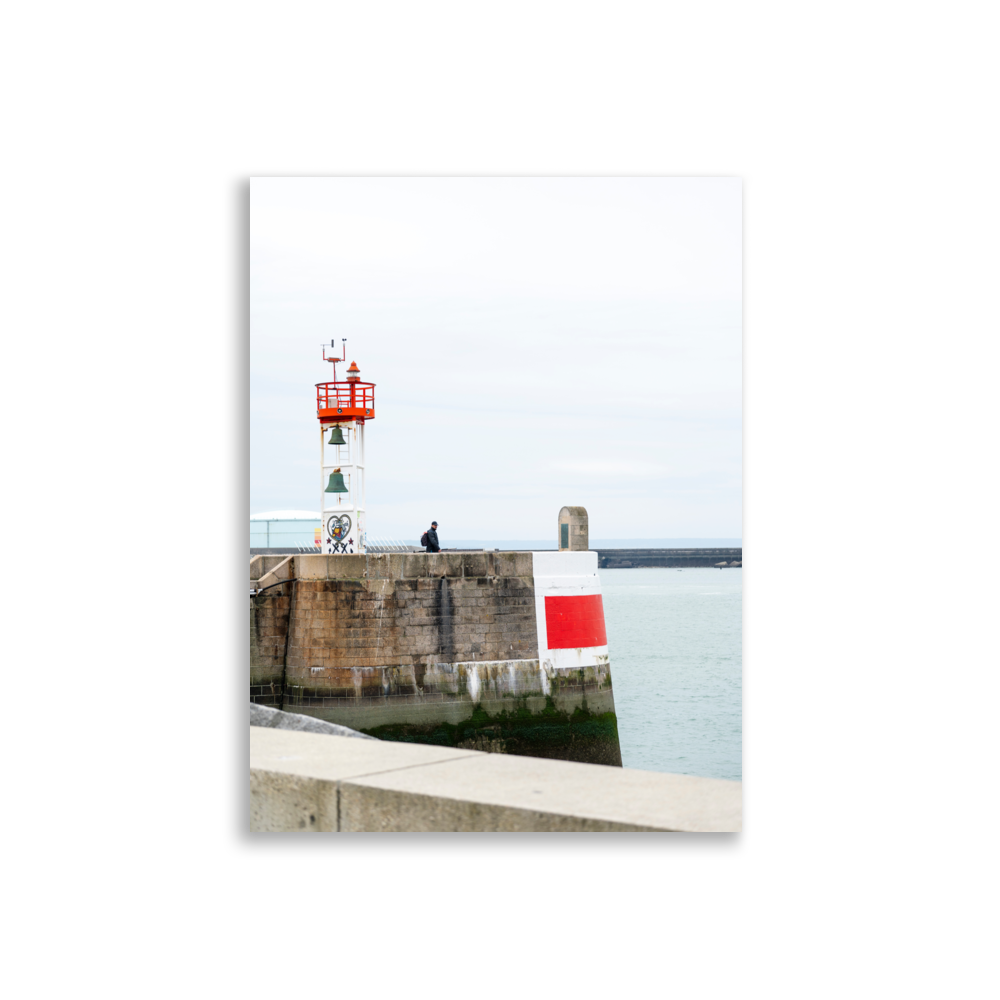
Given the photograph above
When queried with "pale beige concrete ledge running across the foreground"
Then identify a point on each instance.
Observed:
(306, 782)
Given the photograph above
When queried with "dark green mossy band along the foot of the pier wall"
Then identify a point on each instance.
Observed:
(583, 736)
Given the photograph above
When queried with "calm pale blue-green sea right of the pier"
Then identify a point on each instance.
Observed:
(676, 641)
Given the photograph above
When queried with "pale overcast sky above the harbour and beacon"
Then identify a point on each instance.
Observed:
(535, 344)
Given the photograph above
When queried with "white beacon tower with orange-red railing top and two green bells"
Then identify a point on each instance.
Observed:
(343, 408)
